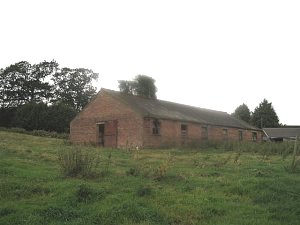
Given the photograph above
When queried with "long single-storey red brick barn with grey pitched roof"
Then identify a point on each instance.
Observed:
(114, 119)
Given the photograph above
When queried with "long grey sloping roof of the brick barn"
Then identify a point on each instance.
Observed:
(169, 110)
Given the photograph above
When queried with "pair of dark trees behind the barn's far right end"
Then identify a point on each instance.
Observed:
(263, 115)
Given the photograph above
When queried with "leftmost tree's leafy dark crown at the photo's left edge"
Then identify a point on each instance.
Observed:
(22, 82)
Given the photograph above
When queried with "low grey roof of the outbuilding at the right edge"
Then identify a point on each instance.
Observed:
(282, 132)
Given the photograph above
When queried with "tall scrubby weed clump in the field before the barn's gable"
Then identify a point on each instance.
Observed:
(75, 162)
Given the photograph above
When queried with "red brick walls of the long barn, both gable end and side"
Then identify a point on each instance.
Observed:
(132, 130)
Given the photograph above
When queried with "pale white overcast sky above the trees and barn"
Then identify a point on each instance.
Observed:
(212, 54)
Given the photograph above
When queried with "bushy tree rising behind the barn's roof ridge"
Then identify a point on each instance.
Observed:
(142, 85)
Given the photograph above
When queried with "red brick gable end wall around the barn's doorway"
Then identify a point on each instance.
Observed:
(83, 128)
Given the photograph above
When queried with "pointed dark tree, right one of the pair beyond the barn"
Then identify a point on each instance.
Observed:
(264, 115)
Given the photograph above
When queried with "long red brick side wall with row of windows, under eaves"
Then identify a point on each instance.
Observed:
(170, 133)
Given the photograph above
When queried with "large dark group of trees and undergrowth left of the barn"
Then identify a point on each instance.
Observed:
(43, 95)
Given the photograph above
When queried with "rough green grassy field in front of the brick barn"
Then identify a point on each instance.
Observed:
(173, 186)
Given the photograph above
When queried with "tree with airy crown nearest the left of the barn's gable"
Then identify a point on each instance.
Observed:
(74, 86)
